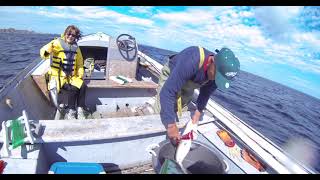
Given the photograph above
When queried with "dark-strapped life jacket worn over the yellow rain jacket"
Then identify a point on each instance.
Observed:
(65, 62)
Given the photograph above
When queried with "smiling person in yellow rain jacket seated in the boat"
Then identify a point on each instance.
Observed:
(67, 69)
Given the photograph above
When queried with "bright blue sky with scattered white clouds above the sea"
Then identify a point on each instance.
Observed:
(279, 43)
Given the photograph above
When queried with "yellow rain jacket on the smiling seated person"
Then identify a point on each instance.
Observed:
(66, 63)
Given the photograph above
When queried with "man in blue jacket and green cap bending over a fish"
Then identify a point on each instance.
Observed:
(192, 68)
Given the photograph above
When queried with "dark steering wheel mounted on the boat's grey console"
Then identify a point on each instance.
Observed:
(127, 46)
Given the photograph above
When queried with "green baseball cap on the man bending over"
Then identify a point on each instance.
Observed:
(227, 67)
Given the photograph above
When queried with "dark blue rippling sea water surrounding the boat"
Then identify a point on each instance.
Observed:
(278, 112)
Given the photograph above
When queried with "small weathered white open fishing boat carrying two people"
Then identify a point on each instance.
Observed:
(118, 134)
